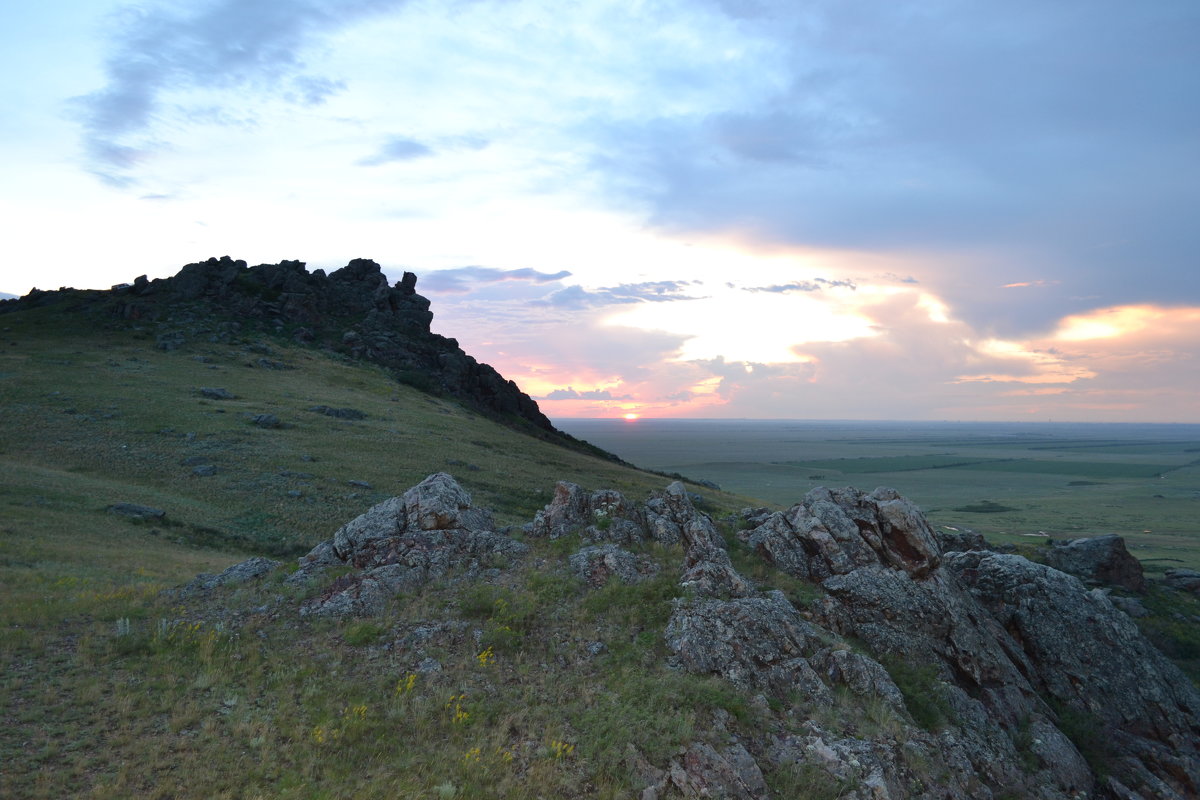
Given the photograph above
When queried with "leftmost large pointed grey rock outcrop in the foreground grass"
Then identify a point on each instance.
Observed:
(405, 543)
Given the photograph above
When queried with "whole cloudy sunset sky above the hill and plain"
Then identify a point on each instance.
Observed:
(838, 209)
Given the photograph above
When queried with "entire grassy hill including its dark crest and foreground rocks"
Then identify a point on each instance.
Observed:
(460, 603)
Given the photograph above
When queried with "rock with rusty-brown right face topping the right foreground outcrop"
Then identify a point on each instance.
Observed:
(835, 532)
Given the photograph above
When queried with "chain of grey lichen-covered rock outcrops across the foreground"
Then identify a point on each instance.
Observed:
(1042, 688)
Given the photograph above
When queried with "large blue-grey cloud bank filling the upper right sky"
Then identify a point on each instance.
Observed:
(987, 141)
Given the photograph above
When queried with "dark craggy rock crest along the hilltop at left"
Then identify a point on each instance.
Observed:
(352, 311)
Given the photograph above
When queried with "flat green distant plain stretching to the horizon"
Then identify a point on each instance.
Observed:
(1011, 482)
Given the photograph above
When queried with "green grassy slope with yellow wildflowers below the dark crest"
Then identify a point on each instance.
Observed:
(112, 689)
